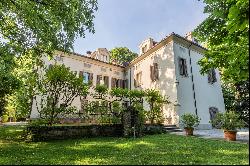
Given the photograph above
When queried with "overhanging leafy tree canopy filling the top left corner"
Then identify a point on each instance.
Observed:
(45, 25)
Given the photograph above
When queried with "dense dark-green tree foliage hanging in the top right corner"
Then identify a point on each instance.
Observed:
(225, 32)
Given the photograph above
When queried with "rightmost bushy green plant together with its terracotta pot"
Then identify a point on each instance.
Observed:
(229, 122)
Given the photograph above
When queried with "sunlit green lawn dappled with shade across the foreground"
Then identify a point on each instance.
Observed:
(152, 149)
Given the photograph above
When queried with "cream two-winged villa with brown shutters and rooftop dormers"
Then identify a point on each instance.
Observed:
(169, 66)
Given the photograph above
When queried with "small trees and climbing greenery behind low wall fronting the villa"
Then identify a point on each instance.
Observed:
(103, 112)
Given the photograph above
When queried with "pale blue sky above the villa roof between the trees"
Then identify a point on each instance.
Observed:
(120, 23)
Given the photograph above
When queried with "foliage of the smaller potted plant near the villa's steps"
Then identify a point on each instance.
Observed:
(190, 120)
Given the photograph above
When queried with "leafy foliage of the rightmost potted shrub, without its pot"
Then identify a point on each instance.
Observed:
(228, 121)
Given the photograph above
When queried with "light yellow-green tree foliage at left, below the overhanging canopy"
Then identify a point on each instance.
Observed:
(26, 70)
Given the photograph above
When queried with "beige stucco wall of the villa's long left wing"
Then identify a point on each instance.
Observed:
(79, 63)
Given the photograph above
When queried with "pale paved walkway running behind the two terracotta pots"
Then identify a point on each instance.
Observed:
(242, 135)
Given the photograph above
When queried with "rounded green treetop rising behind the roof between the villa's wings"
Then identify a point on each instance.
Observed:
(122, 55)
